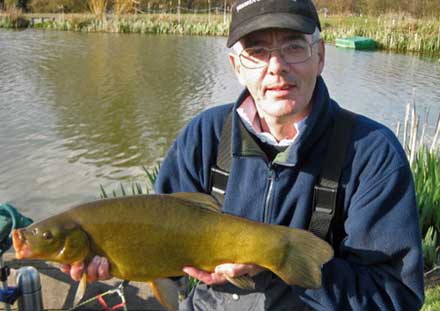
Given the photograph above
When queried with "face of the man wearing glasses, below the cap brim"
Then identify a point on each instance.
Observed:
(281, 91)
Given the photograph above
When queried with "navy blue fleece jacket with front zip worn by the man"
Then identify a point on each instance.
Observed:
(379, 263)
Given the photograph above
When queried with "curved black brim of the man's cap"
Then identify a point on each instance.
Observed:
(274, 20)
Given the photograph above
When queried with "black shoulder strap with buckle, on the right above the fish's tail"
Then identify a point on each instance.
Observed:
(326, 190)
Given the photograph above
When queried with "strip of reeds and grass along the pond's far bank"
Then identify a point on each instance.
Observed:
(401, 25)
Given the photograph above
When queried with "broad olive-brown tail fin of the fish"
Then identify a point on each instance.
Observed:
(301, 258)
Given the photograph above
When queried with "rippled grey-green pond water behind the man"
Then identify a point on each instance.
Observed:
(82, 110)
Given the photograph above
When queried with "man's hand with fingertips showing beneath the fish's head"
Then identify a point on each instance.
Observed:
(97, 269)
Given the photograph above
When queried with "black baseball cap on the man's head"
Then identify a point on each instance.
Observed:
(252, 15)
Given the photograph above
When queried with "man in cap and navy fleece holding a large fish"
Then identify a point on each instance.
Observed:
(279, 134)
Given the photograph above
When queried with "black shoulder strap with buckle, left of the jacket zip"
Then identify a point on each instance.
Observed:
(220, 171)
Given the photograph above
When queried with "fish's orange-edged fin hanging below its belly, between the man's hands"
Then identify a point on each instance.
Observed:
(166, 292)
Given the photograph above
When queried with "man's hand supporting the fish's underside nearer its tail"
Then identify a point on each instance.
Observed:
(218, 276)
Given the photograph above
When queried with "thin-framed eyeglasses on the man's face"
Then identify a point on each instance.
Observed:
(293, 52)
